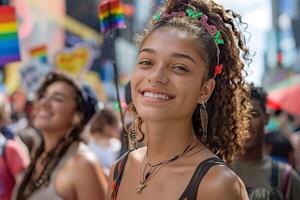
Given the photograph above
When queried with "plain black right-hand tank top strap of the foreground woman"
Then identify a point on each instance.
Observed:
(191, 190)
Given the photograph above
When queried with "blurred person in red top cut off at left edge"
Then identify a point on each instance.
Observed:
(13, 158)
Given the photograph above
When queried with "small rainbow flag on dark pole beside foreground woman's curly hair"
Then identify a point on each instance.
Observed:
(111, 15)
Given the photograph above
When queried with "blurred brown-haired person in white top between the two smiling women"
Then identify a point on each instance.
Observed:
(105, 130)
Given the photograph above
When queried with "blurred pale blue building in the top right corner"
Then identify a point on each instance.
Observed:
(282, 54)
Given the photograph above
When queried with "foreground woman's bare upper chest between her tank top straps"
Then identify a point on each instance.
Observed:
(167, 183)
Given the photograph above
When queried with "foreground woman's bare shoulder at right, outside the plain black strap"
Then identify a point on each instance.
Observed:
(222, 179)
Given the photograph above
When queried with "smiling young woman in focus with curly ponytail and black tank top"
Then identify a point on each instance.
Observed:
(189, 98)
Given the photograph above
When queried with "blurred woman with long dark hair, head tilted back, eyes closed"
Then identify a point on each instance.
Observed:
(63, 167)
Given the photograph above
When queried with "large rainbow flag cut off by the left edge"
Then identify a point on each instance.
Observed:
(9, 43)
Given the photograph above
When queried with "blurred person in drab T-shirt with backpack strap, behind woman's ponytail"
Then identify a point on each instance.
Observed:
(265, 179)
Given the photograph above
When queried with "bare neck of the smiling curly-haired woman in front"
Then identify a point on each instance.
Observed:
(166, 139)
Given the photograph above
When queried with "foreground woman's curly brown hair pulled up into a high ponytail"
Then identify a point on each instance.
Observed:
(229, 107)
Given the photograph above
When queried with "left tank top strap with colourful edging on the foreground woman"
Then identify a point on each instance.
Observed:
(118, 173)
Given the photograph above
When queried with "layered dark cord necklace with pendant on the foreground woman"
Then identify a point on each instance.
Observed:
(151, 169)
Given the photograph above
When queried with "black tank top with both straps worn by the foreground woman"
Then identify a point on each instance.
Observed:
(190, 193)
